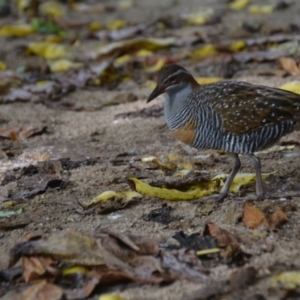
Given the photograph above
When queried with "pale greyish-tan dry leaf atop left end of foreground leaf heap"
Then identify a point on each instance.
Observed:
(70, 247)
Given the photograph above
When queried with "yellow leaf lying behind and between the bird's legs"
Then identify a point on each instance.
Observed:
(241, 179)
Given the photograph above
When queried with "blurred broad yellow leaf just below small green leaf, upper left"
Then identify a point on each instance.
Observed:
(48, 50)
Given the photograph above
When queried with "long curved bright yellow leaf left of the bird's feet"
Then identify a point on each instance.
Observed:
(194, 192)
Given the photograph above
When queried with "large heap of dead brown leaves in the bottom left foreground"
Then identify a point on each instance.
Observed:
(109, 258)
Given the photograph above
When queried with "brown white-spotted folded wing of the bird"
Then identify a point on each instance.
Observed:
(244, 107)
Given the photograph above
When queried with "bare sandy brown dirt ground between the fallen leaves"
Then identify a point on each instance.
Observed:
(110, 148)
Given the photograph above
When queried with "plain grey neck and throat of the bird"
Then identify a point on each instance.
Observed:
(175, 99)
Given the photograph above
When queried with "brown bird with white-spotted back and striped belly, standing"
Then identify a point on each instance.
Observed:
(232, 116)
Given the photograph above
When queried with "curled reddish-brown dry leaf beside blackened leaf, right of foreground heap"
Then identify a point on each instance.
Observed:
(224, 239)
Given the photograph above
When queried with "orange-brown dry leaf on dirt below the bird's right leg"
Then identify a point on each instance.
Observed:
(253, 216)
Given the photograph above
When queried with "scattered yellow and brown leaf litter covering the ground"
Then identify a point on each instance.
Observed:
(126, 54)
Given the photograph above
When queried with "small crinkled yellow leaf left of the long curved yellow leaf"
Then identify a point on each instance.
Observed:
(110, 195)
